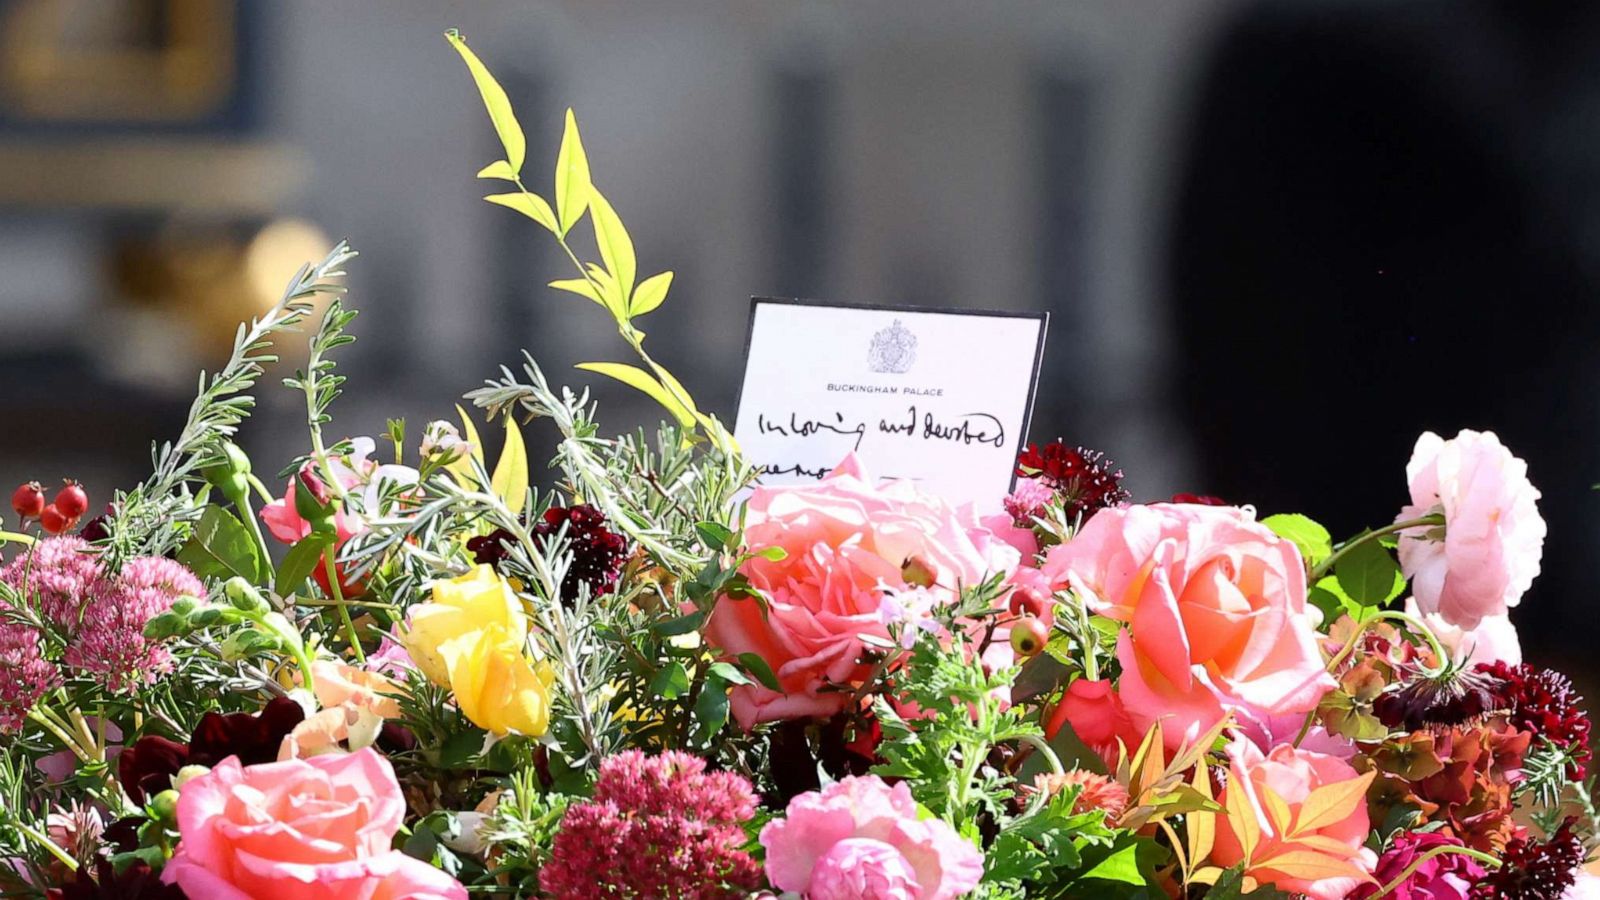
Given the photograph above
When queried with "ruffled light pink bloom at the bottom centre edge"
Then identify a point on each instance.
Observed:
(862, 835)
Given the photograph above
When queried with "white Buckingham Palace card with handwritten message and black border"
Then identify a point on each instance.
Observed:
(942, 398)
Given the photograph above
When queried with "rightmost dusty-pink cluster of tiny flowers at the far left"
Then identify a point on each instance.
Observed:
(113, 643)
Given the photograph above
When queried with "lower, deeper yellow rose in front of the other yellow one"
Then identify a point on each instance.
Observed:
(497, 685)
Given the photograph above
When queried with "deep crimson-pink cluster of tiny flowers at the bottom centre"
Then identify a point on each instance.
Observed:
(657, 827)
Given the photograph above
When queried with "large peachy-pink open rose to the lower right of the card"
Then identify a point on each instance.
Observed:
(1215, 613)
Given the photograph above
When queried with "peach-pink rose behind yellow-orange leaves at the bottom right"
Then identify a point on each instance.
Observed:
(1319, 854)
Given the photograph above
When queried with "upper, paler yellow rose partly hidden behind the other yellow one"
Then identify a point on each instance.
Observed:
(462, 608)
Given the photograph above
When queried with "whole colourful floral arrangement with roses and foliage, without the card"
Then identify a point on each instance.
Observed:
(410, 673)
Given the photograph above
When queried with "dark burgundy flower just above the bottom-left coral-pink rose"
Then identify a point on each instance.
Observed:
(150, 765)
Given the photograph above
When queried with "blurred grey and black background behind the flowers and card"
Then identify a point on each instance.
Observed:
(1278, 239)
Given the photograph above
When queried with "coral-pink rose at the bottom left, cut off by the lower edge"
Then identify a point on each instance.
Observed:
(308, 829)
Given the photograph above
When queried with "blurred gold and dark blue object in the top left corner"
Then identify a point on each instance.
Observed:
(118, 60)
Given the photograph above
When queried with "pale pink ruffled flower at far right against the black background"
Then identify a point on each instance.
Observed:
(1487, 555)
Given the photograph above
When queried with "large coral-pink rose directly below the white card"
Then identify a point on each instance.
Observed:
(846, 544)
